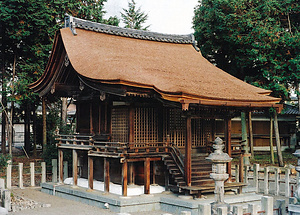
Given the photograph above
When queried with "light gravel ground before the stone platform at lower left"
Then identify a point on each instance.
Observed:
(60, 206)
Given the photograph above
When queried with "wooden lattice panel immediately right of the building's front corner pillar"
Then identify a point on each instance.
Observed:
(146, 125)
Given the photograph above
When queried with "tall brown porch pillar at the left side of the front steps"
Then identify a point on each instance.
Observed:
(188, 152)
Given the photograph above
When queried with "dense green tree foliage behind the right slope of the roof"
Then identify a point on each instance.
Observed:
(256, 41)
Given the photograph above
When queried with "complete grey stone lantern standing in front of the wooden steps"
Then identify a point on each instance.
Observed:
(219, 175)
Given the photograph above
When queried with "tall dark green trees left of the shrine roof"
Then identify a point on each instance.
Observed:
(27, 32)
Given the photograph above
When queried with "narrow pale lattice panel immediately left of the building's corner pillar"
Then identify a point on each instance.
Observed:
(120, 124)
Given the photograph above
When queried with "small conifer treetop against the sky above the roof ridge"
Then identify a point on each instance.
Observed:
(133, 17)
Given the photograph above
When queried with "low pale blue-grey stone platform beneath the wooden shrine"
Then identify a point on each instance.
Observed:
(167, 201)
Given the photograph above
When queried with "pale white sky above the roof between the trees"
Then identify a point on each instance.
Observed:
(164, 16)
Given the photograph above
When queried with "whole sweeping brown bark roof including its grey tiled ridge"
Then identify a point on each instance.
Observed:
(169, 64)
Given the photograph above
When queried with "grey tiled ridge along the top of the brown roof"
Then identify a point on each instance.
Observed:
(73, 22)
